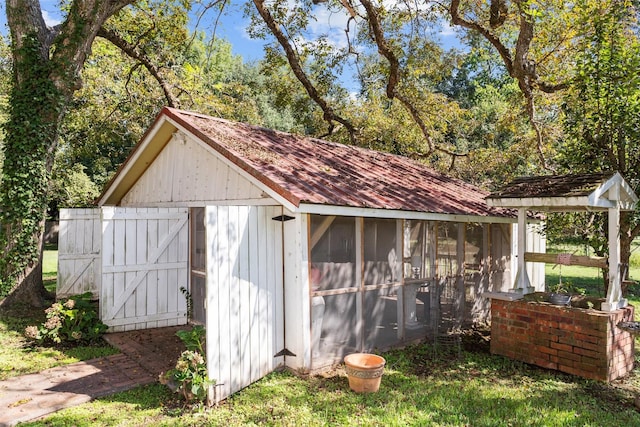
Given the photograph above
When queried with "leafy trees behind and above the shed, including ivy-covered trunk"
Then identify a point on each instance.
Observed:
(534, 86)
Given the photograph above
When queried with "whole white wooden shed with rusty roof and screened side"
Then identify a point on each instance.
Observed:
(292, 251)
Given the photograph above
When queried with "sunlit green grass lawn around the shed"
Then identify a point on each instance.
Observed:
(418, 388)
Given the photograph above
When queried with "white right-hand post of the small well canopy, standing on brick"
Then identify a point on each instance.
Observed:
(614, 295)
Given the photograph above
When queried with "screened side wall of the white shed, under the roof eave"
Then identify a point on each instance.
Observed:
(376, 283)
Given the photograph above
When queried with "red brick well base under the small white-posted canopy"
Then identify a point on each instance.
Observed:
(577, 341)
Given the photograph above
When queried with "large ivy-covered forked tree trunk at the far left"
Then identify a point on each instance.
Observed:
(47, 64)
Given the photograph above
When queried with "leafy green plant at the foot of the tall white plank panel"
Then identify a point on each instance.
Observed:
(190, 377)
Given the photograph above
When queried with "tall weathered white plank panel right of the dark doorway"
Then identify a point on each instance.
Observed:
(244, 295)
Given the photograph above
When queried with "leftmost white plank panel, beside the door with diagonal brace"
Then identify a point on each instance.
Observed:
(79, 244)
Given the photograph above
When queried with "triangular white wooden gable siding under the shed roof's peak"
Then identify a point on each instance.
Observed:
(185, 171)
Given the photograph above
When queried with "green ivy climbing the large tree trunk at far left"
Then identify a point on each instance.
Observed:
(31, 133)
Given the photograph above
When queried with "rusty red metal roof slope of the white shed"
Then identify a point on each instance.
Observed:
(309, 170)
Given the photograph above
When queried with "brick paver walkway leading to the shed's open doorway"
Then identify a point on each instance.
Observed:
(144, 355)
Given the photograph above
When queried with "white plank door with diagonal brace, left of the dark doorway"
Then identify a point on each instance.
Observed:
(144, 264)
